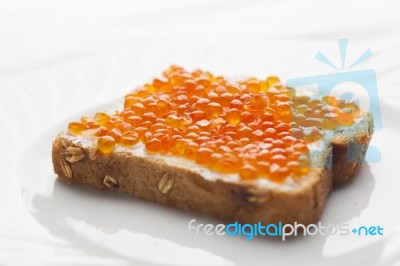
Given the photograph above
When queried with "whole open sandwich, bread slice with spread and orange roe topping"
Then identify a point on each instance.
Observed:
(280, 188)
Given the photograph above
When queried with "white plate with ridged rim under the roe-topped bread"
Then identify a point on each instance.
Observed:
(62, 224)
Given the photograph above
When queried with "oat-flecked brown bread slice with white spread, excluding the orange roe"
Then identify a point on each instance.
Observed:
(176, 181)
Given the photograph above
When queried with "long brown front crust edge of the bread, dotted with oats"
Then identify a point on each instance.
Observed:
(243, 202)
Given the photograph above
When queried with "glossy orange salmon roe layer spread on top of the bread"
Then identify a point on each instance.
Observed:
(253, 128)
